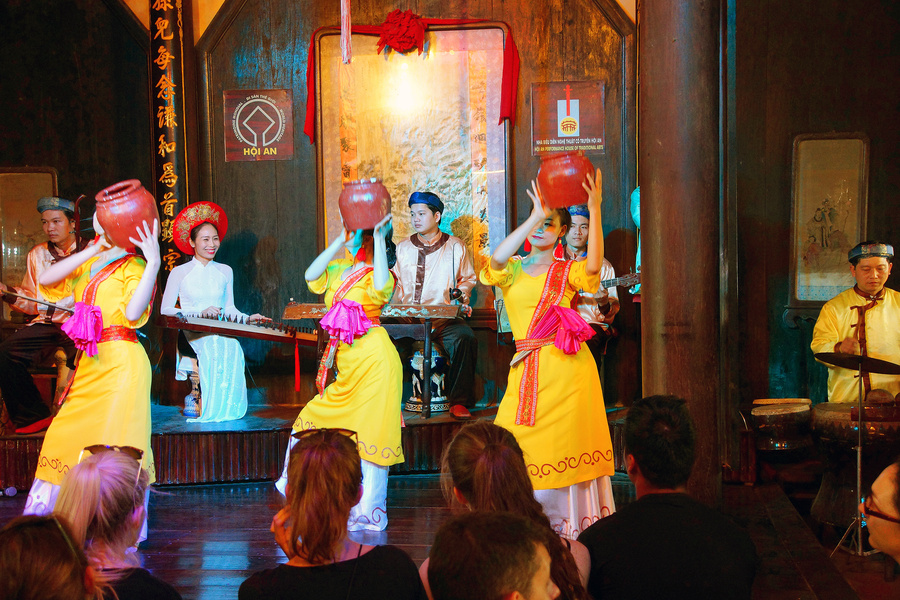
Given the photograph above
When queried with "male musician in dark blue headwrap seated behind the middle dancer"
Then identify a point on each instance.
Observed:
(434, 267)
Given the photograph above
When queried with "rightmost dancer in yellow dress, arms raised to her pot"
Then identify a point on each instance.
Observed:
(553, 402)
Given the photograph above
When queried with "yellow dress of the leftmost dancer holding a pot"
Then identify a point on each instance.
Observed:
(109, 401)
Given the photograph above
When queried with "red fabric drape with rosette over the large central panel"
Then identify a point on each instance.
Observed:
(508, 87)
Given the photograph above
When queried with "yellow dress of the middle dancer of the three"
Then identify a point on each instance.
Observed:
(366, 394)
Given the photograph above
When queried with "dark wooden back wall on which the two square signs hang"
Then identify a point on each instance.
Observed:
(272, 206)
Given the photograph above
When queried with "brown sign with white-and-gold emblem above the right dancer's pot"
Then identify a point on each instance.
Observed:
(567, 115)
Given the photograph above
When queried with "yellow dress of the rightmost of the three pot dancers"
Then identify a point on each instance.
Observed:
(569, 442)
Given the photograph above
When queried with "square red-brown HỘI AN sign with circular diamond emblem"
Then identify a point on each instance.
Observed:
(259, 125)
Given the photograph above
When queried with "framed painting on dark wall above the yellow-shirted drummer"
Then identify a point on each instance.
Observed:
(830, 194)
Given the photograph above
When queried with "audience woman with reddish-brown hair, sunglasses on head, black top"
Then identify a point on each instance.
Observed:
(324, 477)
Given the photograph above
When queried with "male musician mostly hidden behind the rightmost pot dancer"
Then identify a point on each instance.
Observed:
(597, 309)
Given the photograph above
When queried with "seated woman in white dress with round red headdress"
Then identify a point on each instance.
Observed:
(205, 288)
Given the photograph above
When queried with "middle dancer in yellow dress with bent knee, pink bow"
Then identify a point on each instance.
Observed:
(365, 396)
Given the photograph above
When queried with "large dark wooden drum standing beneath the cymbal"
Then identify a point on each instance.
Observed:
(835, 433)
